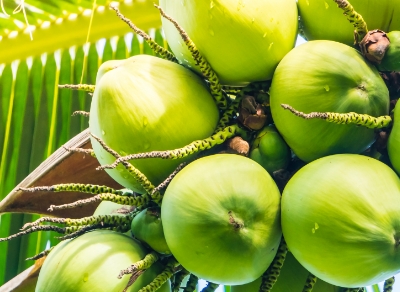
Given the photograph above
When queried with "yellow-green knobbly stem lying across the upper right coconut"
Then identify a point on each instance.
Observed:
(345, 118)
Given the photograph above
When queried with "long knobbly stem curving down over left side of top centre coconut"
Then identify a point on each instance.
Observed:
(205, 68)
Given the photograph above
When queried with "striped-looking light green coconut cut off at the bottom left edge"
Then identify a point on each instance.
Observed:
(92, 262)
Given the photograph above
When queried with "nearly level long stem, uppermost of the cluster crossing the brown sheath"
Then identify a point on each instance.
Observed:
(73, 187)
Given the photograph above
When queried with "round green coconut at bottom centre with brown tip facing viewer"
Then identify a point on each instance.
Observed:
(221, 218)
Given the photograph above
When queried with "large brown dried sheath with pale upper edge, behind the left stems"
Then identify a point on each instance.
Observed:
(61, 167)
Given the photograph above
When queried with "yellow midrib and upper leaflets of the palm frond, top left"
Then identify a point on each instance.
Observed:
(62, 24)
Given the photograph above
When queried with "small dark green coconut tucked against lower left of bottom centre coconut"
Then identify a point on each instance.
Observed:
(147, 228)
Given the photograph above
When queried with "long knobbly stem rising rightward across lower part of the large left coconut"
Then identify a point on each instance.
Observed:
(192, 148)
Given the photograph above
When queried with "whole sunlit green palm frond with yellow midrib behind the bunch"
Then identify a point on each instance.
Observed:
(35, 116)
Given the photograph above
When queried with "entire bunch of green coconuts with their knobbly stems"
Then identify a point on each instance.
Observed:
(246, 161)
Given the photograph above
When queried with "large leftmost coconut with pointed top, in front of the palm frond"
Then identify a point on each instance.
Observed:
(146, 103)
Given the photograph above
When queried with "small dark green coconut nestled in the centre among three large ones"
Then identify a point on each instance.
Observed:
(270, 150)
